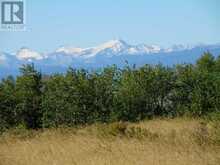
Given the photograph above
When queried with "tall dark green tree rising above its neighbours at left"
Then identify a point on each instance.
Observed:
(28, 92)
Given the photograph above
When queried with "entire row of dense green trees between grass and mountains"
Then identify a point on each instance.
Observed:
(111, 94)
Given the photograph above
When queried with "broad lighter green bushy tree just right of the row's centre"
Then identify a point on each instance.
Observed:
(144, 92)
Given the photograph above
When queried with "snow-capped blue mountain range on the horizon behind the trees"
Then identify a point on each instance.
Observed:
(112, 52)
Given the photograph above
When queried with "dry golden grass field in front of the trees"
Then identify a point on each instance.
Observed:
(156, 142)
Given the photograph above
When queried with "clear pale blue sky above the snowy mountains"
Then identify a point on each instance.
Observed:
(84, 23)
